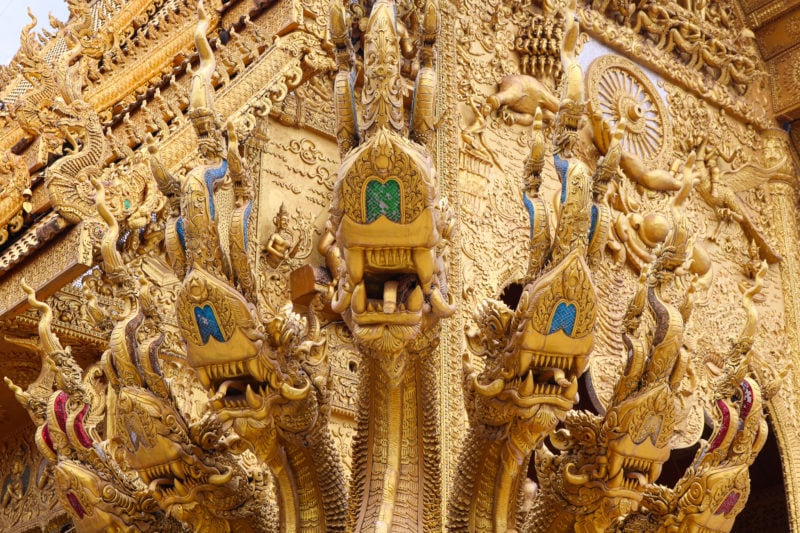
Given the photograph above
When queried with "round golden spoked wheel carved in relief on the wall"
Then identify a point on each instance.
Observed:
(619, 89)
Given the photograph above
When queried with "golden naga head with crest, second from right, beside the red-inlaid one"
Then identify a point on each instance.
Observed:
(622, 453)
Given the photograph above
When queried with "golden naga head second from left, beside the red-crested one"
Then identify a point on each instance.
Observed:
(189, 471)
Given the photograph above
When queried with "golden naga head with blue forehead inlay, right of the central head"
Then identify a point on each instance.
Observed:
(545, 348)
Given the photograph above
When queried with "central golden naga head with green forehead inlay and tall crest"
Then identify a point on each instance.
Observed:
(385, 220)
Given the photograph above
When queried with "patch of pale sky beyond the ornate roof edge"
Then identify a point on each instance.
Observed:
(13, 16)
